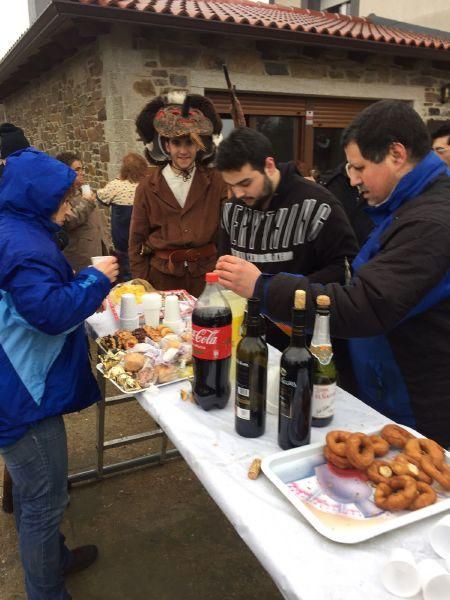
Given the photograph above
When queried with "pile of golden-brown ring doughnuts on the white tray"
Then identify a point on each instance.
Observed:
(402, 482)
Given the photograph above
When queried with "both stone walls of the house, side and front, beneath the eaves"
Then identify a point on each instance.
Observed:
(89, 103)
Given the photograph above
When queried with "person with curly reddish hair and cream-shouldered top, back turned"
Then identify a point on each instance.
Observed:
(119, 193)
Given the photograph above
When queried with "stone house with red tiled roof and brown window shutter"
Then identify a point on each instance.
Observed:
(77, 78)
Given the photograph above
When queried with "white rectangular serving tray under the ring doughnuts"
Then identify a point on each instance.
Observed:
(338, 507)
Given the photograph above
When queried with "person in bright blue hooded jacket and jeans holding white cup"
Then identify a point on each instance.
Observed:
(44, 365)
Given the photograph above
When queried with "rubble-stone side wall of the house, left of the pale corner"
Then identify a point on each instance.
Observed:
(64, 110)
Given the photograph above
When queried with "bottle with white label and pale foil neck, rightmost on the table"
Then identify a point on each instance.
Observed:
(324, 370)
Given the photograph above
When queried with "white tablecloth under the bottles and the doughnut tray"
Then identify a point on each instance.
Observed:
(303, 564)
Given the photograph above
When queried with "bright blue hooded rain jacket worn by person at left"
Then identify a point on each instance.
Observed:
(44, 365)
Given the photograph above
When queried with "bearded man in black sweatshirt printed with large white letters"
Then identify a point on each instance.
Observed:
(277, 219)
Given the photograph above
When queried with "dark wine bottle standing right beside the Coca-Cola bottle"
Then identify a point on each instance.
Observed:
(251, 376)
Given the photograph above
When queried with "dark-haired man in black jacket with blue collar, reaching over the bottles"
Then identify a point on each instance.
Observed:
(396, 310)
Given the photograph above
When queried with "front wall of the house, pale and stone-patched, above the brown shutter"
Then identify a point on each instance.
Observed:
(140, 63)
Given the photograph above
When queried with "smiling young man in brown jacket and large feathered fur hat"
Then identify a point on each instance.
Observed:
(177, 207)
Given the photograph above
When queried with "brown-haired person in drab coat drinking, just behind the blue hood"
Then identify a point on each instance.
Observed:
(83, 225)
